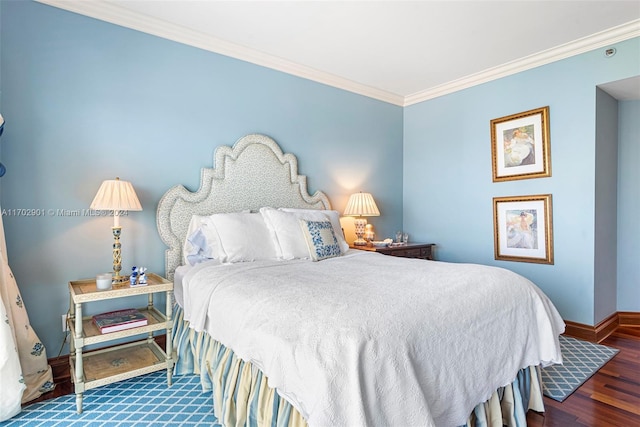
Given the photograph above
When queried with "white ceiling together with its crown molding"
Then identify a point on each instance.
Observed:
(397, 51)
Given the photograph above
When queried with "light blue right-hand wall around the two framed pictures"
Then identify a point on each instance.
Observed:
(448, 188)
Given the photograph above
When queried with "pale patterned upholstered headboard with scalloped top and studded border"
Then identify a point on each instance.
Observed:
(252, 174)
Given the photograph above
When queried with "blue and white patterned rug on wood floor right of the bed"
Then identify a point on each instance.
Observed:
(580, 360)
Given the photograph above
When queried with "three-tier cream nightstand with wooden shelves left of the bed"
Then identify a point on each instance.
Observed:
(123, 361)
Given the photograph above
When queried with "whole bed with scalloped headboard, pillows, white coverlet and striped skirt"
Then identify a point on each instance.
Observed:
(290, 327)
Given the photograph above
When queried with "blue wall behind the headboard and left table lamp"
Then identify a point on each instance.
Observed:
(85, 101)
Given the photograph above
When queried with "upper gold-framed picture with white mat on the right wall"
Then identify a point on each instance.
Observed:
(520, 146)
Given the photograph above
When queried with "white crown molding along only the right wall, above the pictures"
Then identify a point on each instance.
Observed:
(604, 38)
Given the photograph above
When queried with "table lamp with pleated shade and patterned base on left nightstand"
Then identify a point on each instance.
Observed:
(118, 196)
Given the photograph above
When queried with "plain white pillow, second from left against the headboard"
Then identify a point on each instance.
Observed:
(243, 236)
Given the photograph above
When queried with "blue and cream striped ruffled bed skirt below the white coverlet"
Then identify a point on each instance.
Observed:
(241, 395)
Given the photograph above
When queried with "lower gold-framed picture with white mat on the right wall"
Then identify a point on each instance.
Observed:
(523, 228)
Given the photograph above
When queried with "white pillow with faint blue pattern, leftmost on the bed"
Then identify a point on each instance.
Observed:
(201, 243)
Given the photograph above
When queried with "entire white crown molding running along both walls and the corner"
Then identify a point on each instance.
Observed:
(114, 14)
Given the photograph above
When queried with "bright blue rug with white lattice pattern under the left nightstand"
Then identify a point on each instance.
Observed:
(143, 401)
